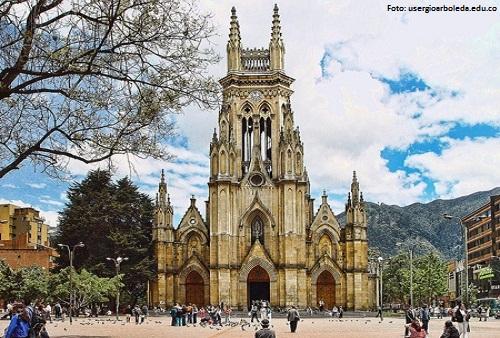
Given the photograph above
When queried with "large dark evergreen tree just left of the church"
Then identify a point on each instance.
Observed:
(111, 219)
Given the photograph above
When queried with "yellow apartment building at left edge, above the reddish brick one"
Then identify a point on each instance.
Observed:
(16, 221)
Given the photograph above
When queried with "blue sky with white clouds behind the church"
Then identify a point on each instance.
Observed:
(409, 100)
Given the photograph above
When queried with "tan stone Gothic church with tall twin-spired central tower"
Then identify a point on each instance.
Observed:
(261, 237)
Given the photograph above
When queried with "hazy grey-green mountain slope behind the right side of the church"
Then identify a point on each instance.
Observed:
(420, 225)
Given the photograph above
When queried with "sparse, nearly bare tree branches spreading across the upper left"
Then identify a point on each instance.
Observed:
(86, 80)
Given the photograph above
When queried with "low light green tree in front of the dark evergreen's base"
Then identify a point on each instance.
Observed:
(87, 288)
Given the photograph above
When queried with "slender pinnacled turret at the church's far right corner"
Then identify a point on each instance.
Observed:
(356, 249)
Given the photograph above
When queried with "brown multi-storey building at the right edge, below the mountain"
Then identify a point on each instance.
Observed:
(483, 230)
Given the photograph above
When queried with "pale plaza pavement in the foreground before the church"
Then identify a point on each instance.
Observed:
(157, 327)
